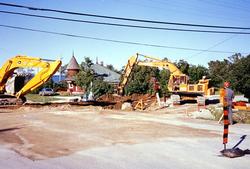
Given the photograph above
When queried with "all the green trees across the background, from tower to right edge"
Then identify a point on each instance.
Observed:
(235, 69)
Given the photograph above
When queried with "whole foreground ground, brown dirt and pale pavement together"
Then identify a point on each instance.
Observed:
(90, 137)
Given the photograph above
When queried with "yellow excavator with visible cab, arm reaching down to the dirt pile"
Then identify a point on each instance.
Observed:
(178, 83)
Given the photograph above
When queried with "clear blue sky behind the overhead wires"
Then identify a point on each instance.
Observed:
(221, 12)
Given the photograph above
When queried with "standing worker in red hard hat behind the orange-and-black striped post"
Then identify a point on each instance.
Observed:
(229, 98)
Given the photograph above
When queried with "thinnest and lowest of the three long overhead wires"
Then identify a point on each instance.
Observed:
(111, 40)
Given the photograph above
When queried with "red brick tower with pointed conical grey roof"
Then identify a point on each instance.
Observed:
(72, 69)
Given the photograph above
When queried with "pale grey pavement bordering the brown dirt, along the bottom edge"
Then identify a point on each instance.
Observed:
(164, 153)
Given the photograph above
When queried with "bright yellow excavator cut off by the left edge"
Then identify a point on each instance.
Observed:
(13, 89)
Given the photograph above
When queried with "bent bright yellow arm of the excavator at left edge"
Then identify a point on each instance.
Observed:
(47, 69)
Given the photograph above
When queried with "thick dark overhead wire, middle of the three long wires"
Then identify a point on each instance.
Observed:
(126, 25)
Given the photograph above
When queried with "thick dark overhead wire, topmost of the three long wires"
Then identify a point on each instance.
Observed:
(122, 18)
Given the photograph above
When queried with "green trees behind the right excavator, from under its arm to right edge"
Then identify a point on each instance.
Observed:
(235, 69)
